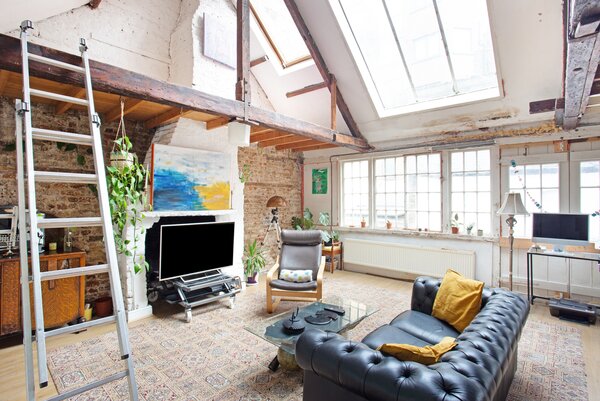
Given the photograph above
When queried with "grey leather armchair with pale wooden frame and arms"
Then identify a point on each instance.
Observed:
(301, 250)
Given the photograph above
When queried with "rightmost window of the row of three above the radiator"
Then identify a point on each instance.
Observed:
(471, 189)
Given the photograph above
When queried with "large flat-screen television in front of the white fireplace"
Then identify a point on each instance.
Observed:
(194, 248)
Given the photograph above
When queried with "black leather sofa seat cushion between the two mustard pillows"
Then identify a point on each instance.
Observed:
(423, 326)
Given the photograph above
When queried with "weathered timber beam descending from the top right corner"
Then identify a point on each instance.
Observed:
(583, 56)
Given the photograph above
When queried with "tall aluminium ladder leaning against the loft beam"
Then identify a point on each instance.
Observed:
(29, 175)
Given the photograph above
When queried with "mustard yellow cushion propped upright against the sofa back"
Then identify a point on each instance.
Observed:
(458, 300)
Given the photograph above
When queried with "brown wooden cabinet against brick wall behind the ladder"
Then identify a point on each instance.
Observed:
(63, 299)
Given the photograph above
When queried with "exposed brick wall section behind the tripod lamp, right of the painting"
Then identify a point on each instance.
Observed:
(272, 173)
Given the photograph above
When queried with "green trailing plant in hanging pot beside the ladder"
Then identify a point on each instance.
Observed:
(127, 199)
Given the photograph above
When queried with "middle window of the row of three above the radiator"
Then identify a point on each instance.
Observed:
(408, 192)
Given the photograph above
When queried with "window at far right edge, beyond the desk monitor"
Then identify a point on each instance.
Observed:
(589, 173)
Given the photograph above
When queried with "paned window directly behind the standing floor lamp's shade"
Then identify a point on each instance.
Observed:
(536, 183)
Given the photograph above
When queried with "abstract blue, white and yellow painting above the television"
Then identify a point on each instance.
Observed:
(190, 179)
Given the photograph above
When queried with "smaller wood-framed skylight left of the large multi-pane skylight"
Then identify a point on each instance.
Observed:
(280, 31)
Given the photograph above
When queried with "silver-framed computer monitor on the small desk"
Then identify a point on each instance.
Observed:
(560, 229)
